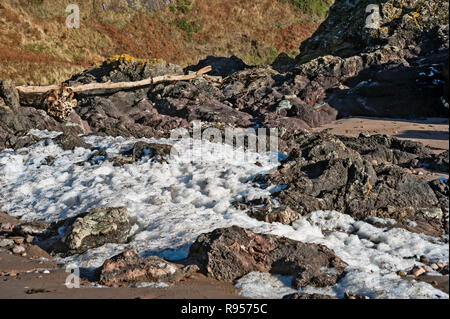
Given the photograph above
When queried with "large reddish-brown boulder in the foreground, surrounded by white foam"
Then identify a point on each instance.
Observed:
(230, 253)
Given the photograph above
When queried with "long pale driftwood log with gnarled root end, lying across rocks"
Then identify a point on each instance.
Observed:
(58, 100)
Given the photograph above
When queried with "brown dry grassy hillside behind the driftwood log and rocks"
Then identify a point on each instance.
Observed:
(36, 47)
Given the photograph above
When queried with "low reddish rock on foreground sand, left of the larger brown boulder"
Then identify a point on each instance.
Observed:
(129, 268)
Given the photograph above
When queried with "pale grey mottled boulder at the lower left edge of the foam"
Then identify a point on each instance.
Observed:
(100, 226)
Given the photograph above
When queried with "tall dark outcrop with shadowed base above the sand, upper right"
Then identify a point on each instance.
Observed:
(376, 70)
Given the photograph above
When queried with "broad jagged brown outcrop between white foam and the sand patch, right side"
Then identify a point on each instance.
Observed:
(364, 176)
